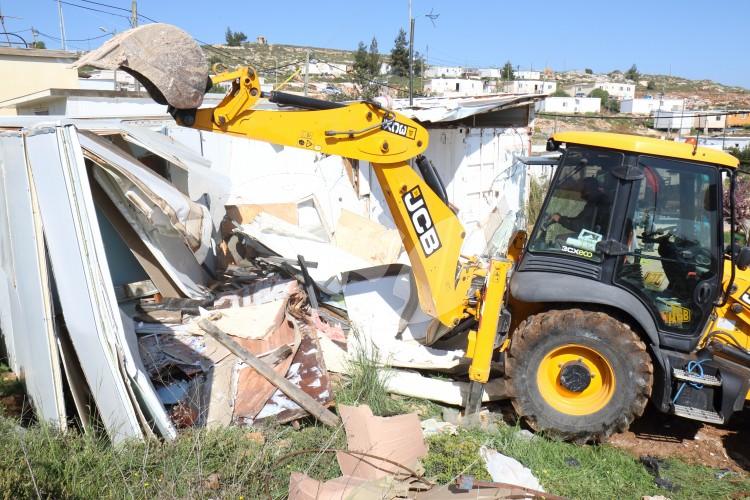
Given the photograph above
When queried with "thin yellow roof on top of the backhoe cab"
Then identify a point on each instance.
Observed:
(648, 145)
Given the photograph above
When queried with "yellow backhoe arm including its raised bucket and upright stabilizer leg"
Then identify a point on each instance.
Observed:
(451, 288)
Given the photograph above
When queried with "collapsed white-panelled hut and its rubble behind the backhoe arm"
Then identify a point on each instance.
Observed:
(119, 235)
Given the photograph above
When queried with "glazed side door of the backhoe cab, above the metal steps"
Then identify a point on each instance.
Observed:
(672, 233)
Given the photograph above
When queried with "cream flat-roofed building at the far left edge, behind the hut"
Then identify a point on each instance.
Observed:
(26, 71)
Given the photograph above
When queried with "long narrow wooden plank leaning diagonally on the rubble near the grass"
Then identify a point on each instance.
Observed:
(298, 395)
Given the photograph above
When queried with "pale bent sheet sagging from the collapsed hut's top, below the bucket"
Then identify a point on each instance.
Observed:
(195, 177)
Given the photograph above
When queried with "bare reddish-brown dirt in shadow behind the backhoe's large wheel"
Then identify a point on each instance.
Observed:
(655, 434)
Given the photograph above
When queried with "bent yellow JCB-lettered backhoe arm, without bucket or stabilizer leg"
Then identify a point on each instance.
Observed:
(430, 230)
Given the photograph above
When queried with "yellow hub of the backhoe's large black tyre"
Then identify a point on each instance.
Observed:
(575, 380)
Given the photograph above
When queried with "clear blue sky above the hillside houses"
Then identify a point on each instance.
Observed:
(694, 39)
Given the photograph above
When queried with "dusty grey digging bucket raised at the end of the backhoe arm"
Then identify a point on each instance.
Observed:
(163, 58)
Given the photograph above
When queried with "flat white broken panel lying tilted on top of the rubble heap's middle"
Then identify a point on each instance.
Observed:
(289, 241)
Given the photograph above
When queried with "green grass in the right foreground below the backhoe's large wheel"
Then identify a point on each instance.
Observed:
(576, 471)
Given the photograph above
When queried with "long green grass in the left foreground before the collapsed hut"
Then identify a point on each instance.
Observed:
(199, 464)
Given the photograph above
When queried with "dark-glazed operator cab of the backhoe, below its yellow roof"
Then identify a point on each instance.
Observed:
(649, 225)
